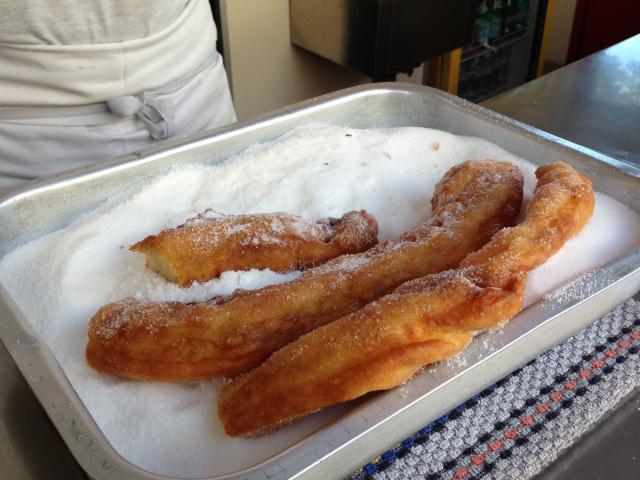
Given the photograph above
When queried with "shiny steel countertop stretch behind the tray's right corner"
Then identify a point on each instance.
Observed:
(594, 102)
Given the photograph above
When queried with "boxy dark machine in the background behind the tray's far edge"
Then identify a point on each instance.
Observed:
(381, 38)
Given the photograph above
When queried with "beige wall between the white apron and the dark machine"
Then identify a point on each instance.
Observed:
(267, 72)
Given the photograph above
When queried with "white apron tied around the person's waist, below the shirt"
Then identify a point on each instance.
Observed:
(63, 106)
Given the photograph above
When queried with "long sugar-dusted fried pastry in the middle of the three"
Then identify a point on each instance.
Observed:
(173, 341)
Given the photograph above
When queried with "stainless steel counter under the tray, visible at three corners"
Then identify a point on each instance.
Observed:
(594, 102)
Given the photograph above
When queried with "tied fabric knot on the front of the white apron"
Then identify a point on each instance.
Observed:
(157, 114)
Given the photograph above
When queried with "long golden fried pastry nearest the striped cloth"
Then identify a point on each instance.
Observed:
(421, 322)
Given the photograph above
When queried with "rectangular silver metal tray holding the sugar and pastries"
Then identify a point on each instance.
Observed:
(382, 420)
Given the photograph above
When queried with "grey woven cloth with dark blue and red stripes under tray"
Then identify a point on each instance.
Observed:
(518, 426)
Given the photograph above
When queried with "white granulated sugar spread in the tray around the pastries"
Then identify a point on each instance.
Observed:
(60, 280)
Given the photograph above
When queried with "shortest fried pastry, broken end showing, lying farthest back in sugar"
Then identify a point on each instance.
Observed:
(213, 243)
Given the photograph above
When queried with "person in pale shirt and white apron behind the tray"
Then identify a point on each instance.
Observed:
(65, 105)
